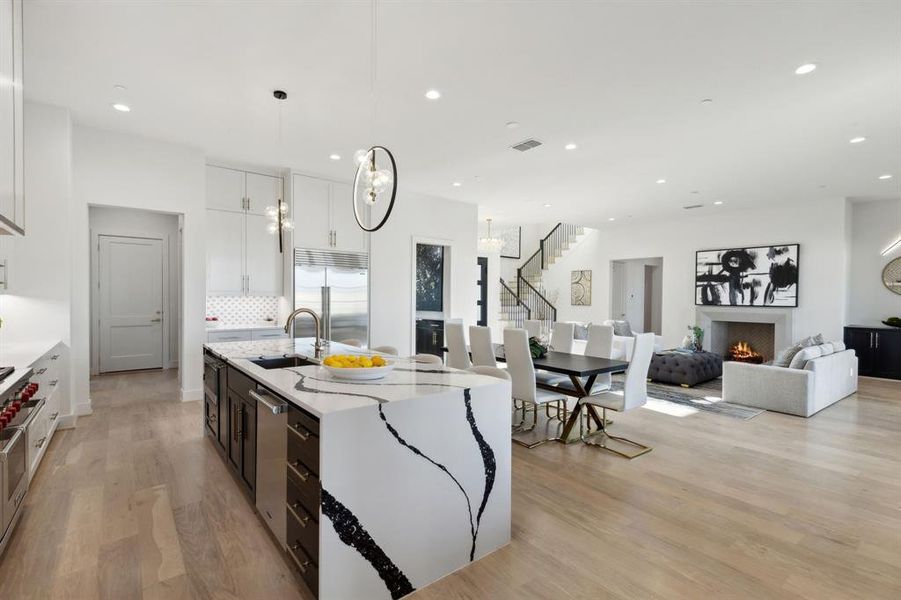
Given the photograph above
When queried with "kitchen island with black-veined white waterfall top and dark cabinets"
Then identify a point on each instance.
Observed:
(389, 484)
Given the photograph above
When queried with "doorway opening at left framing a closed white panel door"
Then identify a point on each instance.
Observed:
(135, 289)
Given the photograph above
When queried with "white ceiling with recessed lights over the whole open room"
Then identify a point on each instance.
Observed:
(622, 80)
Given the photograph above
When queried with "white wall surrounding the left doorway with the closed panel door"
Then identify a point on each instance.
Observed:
(114, 169)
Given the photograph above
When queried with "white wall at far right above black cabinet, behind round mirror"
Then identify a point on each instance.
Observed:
(874, 226)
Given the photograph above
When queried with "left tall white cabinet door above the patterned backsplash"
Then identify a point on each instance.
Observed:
(225, 253)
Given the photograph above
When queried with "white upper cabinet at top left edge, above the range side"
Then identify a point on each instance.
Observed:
(12, 165)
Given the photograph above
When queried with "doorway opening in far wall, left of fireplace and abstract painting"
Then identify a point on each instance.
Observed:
(636, 293)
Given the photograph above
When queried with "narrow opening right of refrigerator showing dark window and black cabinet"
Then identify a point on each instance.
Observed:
(431, 294)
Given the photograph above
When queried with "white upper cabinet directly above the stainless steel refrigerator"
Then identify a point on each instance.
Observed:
(323, 216)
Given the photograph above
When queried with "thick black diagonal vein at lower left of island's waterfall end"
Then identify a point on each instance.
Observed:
(351, 532)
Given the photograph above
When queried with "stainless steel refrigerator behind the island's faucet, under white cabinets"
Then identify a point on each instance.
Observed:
(336, 286)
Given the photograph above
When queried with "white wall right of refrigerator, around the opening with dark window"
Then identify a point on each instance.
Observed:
(391, 265)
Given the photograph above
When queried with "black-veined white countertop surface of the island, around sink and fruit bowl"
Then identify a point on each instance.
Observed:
(315, 390)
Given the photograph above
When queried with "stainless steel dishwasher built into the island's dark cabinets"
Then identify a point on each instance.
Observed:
(272, 451)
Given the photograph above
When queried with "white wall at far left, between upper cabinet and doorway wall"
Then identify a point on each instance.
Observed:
(37, 304)
